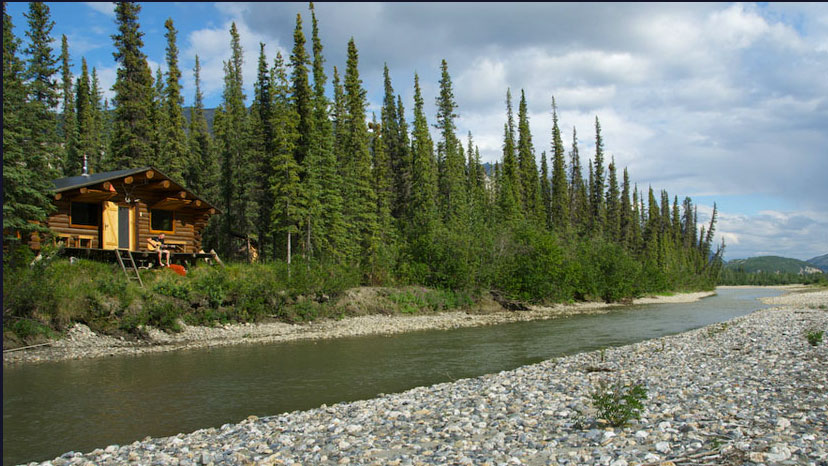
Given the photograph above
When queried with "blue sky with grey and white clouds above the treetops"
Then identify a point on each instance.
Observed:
(723, 102)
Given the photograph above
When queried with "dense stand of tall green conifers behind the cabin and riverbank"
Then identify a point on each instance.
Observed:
(301, 169)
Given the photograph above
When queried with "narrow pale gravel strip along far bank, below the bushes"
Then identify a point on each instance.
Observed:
(81, 343)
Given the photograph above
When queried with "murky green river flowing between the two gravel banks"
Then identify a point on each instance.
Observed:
(52, 408)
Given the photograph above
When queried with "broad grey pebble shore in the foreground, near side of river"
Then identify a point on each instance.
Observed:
(751, 390)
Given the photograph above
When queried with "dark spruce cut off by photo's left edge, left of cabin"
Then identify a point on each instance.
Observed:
(25, 190)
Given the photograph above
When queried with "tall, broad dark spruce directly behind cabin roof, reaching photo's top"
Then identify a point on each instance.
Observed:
(132, 124)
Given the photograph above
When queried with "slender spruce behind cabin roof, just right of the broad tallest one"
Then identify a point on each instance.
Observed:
(175, 155)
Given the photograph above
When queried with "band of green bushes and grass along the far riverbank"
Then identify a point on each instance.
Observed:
(45, 298)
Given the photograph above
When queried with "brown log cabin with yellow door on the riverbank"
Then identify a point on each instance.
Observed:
(123, 209)
